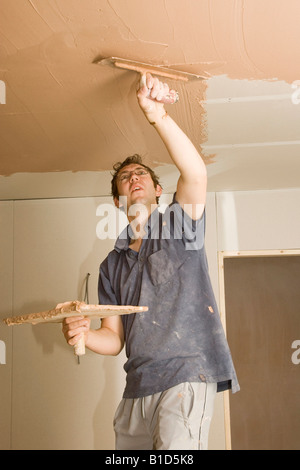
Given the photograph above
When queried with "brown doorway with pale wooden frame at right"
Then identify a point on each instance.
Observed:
(260, 311)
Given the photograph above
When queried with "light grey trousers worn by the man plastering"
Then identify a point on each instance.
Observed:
(176, 419)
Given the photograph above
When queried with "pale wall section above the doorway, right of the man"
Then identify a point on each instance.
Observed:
(258, 220)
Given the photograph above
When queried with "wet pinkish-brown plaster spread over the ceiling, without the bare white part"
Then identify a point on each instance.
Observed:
(64, 113)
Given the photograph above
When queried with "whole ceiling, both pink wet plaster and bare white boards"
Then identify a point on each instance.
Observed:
(65, 114)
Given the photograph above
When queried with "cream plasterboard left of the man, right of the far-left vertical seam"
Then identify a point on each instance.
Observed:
(58, 404)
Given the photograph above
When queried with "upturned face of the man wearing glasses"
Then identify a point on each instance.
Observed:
(135, 183)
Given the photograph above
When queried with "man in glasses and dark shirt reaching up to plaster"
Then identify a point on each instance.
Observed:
(177, 354)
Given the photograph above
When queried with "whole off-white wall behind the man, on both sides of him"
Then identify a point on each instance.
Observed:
(47, 247)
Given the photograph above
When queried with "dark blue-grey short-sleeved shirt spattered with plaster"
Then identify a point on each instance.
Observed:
(180, 338)
